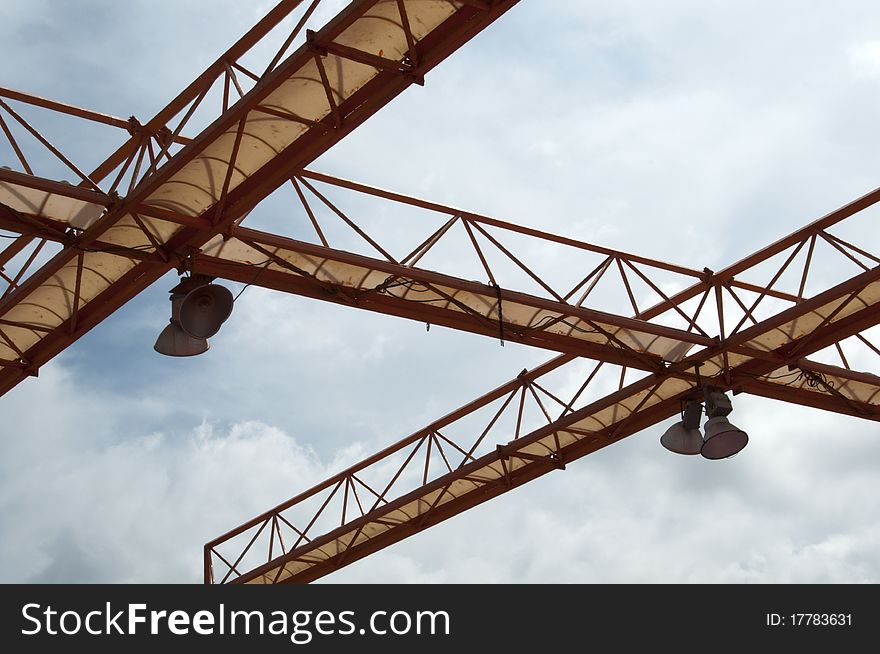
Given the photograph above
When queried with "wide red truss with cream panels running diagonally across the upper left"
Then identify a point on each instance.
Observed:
(293, 112)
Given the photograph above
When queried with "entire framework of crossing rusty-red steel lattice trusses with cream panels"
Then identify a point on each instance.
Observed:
(636, 337)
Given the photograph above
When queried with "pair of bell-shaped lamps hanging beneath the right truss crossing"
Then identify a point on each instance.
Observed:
(719, 439)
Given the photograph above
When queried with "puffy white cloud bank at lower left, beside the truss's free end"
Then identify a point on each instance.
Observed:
(94, 507)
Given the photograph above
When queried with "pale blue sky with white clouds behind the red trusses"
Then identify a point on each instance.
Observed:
(690, 131)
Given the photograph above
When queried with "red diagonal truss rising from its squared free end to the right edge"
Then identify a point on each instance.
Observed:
(434, 474)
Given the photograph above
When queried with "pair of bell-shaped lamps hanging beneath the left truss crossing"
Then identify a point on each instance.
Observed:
(198, 309)
